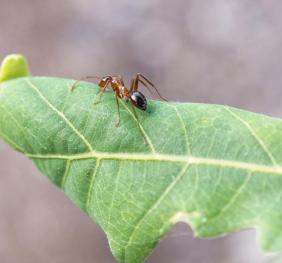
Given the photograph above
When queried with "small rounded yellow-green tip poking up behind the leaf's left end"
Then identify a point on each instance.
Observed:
(13, 66)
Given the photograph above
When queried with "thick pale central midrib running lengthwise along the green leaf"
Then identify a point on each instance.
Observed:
(190, 159)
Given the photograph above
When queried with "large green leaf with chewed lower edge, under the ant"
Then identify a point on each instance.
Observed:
(215, 167)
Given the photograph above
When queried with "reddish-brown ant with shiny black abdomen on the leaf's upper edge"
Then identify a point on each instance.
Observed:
(132, 94)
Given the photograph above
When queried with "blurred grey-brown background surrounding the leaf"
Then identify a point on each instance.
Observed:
(220, 51)
